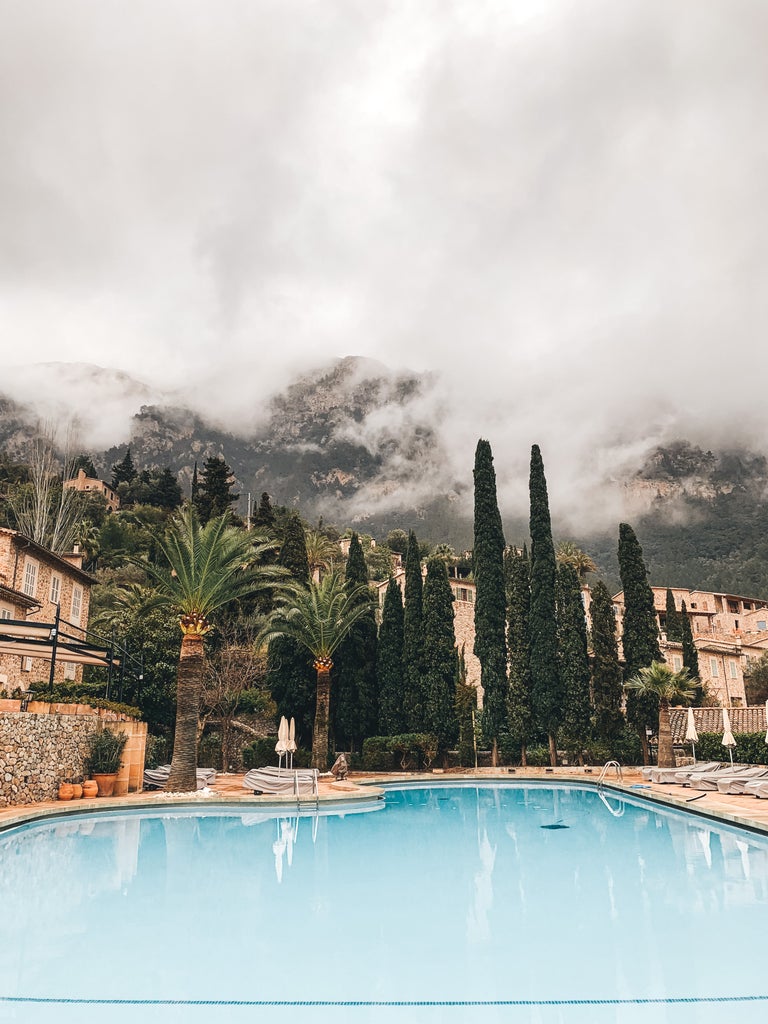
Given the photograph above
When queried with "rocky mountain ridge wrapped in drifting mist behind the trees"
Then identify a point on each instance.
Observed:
(362, 446)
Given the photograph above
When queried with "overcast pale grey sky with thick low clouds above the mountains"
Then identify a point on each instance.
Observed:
(560, 208)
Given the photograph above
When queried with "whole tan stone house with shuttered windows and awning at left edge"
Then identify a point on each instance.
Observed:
(37, 588)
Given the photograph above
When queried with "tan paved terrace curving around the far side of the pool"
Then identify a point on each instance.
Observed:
(743, 810)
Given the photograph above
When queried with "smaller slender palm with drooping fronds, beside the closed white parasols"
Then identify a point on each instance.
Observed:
(320, 619)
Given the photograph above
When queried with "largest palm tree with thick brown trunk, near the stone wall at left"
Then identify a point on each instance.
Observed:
(206, 569)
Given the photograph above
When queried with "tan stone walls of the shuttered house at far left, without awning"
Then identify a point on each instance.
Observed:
(33, 582)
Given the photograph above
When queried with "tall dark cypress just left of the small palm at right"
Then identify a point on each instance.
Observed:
(641, 633)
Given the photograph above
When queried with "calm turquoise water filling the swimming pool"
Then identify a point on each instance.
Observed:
(449, 904)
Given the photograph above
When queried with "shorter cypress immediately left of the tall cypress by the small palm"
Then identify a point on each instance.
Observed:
(607, 671)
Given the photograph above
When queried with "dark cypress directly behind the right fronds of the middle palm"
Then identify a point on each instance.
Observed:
(355, 698)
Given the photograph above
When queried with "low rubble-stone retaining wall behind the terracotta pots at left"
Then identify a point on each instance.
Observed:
(38, 751)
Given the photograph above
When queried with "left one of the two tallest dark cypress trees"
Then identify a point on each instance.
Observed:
(491, 604)
